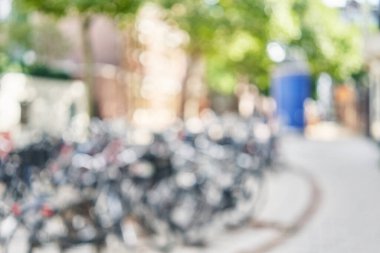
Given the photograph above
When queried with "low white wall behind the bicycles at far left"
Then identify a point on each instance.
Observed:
(49, 105)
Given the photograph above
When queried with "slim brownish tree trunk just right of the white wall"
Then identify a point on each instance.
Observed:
(89, 65)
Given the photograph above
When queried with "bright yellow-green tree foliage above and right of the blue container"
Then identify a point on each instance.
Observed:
(330, 44)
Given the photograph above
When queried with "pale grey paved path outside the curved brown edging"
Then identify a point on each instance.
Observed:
(347, 170)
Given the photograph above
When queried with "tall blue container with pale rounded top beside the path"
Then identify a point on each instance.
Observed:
(290, 88)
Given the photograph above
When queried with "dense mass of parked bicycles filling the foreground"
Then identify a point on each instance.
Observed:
(181, 185)
